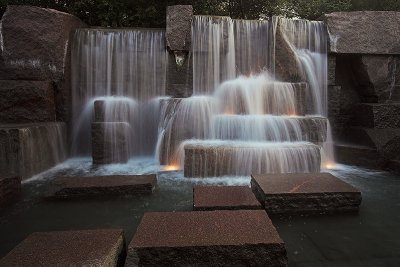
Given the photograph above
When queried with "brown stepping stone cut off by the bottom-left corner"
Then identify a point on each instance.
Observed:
(69, 248)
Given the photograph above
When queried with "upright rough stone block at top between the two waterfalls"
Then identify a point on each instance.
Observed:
(179, 27)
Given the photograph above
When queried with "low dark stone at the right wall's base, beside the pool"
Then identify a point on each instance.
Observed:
(359, 155)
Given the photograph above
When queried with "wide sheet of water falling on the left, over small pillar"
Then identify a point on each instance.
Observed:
(118, 67)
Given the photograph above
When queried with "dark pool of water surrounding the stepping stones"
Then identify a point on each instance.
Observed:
(369, 238)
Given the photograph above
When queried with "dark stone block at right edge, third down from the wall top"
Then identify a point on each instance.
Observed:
(381, 116)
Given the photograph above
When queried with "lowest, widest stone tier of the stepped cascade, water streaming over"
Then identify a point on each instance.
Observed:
(213, 158)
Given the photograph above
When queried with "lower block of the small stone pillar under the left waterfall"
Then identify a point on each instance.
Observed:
(110, 142)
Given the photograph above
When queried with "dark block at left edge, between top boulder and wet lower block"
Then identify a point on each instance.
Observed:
(26, 101)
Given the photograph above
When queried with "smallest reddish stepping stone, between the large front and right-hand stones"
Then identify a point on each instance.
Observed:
(224, 198)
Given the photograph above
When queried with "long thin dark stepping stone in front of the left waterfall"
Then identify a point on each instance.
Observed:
(101, 186)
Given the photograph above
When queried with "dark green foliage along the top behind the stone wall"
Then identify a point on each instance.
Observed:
(151, 13)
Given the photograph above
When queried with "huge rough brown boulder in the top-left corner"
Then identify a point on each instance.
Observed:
(36, 43)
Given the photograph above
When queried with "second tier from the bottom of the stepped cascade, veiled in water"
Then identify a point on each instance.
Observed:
(269, 128)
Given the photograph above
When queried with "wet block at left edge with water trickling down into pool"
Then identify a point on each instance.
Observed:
(28, 149)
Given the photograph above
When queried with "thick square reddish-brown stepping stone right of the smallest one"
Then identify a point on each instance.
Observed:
(305, 193)
